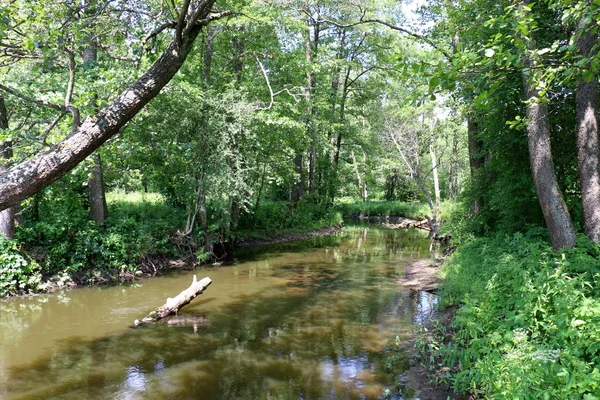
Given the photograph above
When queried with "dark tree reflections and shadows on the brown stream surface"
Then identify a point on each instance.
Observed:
(321, 336)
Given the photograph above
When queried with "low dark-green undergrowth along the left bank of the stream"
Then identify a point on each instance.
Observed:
(60, 246)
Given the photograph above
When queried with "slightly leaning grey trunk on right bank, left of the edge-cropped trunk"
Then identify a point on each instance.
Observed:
(549, 195)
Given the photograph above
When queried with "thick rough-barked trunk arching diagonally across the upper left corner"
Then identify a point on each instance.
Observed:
(31, 176)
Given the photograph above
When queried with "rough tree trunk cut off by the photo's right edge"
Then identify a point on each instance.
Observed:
(587, 139)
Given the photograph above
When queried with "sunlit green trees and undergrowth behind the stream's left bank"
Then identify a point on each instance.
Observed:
(276, 115)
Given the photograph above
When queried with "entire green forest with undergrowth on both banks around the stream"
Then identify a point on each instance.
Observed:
(135, 133)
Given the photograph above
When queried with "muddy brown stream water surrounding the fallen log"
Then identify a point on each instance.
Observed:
(319, 319)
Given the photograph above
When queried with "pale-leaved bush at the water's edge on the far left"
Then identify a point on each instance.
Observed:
(17, 273)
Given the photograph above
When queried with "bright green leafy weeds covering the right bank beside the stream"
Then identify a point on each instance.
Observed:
(528, 326)
